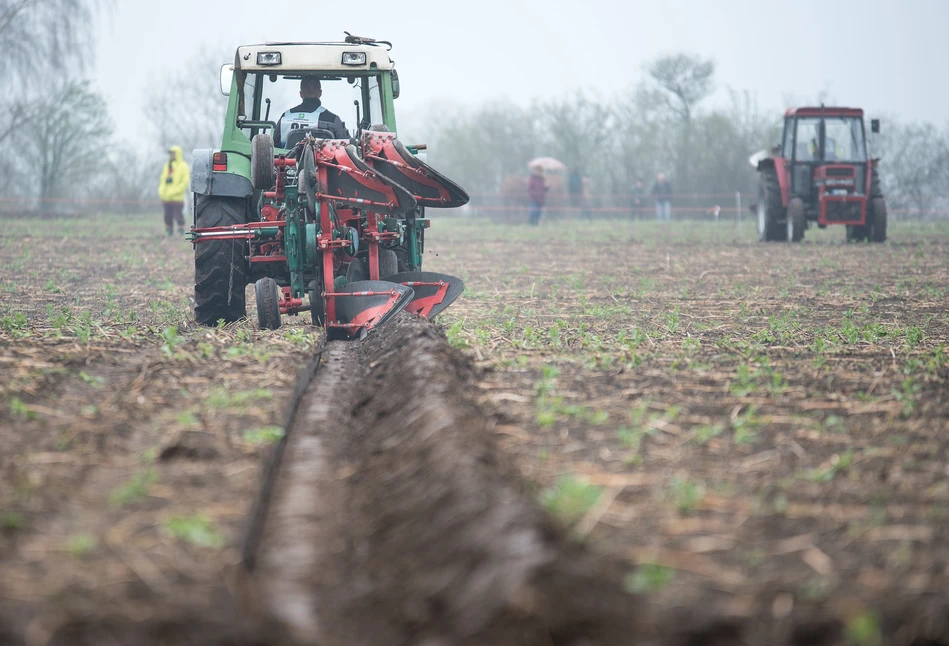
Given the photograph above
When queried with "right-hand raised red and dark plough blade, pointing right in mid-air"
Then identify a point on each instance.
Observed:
(391, 158)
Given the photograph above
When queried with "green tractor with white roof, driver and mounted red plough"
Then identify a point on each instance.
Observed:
(320, 217)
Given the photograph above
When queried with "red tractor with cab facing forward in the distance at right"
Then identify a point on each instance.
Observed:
(820, 173)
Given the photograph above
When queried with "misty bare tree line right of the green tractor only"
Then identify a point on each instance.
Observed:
(665, 123)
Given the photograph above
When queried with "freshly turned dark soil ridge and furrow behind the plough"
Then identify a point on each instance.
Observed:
(395, 520)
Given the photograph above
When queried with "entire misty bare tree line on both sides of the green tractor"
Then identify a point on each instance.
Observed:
(58, 142)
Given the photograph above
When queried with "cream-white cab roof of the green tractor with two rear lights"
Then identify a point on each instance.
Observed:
(313, 57)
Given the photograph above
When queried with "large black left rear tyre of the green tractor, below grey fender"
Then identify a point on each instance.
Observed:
(220, 266)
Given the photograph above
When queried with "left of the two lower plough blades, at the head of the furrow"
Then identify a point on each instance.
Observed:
(364, 305)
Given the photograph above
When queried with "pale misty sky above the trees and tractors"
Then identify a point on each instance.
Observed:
(885, 56)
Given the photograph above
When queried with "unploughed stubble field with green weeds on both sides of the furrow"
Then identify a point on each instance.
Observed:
(759, 430)
